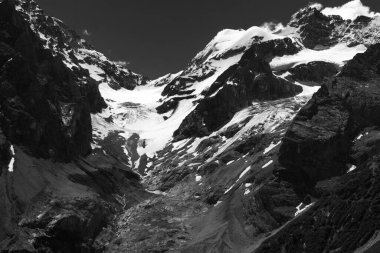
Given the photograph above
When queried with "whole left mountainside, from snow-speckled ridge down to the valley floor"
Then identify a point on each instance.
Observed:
(55, 194)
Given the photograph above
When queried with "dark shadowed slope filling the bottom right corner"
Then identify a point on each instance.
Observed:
(344, 220)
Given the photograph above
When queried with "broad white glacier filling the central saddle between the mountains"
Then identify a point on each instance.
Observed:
(140, 117)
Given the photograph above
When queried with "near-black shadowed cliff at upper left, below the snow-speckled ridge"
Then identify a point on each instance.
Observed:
(44, 105)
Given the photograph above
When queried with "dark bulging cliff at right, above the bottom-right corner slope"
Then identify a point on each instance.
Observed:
(317, 145)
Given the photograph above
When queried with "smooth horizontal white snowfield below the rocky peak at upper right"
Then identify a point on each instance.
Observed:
(338, 54)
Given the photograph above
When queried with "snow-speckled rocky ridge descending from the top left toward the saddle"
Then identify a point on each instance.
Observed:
(76, 53)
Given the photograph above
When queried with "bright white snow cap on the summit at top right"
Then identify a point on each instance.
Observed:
(350, 10)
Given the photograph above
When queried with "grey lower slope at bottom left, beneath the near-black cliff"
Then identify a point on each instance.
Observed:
(62, 207)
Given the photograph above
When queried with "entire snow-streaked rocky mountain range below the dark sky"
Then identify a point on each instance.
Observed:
(268, 141)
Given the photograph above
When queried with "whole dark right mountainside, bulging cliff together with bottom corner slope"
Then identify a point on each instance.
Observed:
(331, 152)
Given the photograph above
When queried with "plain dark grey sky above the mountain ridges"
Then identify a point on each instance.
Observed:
(161, 36)
